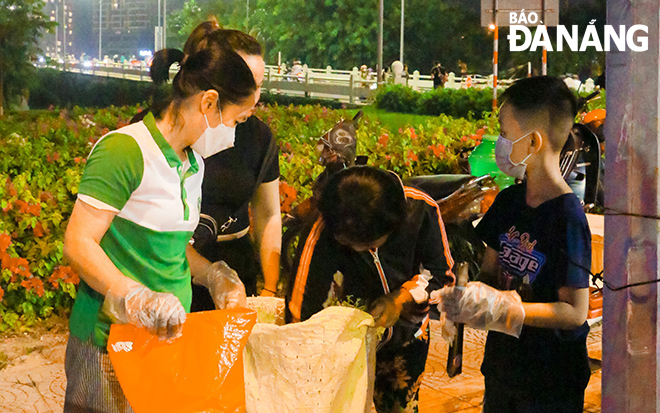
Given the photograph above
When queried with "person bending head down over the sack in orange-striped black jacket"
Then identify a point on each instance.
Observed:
(385, 245)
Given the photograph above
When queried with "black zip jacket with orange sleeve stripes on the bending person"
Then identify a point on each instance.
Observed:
(419, 244)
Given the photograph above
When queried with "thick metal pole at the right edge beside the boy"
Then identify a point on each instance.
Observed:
(631, 356)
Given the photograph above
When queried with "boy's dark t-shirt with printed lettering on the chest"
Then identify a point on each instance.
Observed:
(540, 250)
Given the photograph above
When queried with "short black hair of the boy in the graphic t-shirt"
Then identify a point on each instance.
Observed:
(543, 93)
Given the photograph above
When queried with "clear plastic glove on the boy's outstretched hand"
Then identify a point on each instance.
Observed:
(484, 307)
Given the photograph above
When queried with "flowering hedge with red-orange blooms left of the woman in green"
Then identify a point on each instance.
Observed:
(42, 157)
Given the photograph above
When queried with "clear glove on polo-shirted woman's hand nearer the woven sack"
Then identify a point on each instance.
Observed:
(224, 285)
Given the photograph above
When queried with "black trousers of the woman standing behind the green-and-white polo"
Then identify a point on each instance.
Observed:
(239, 254)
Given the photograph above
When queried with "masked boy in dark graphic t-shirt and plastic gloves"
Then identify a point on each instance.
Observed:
(538, 247)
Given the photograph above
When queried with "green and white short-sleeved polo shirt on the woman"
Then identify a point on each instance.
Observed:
(136, 173)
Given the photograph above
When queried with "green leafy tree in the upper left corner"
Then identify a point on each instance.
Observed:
(22, 22)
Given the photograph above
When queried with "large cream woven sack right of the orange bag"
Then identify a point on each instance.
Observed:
(323, 365)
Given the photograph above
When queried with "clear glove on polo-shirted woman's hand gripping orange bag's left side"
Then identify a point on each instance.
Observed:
(162, 314)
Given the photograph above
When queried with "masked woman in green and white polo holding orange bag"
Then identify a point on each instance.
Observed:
(128, 236)
